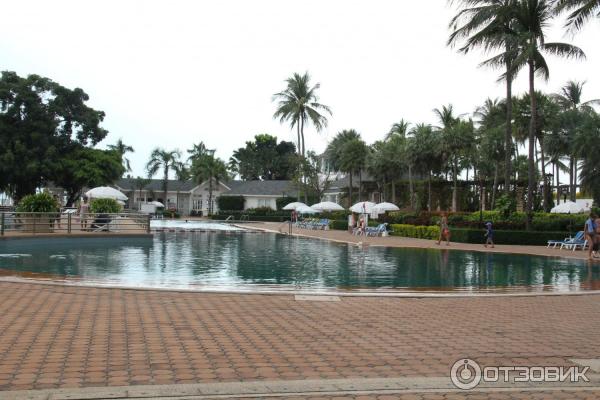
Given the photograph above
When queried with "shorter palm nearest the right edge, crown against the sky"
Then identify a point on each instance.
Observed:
(570, 101)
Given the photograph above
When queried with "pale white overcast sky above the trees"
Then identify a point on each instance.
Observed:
(174, 73)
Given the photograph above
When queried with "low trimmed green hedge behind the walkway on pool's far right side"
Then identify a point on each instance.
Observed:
(462, 235)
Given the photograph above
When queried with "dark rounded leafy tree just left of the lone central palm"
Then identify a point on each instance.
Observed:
(265, 159)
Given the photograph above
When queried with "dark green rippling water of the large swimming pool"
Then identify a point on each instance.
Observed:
(226, 260)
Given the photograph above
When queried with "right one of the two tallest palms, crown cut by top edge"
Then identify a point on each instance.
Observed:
(532, 17)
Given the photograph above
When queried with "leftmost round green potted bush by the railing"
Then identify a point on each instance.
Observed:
(38, 212)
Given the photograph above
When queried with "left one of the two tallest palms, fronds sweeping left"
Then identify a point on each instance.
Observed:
(488, 24)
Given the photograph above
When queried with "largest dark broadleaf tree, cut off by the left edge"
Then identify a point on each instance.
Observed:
(40, 121)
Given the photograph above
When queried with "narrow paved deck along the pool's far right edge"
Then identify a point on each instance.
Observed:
(395, 241)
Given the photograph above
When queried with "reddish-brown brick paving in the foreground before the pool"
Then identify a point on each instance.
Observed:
(69, 337)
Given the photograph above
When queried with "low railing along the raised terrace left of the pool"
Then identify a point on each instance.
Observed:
(69, 222)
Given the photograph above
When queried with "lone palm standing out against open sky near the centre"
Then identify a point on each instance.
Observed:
(298, 105)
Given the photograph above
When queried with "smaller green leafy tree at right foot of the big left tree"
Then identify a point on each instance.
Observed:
(82, 167)
